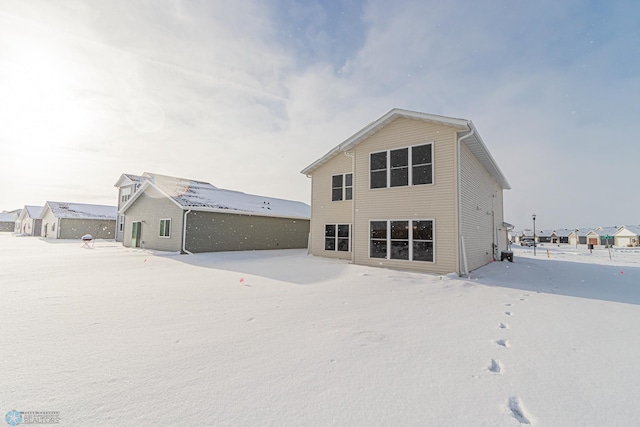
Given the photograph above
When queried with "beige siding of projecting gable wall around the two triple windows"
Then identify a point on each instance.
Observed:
(435, 201)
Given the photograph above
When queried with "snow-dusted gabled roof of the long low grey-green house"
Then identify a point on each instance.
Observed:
(202, 196)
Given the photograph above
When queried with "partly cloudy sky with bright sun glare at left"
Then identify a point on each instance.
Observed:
(245, 94)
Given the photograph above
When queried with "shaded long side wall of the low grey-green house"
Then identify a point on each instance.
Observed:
(215, 232)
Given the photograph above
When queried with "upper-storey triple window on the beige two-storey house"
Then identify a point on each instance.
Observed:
(402, 167)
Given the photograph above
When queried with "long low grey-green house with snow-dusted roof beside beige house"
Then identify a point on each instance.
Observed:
(174, 214)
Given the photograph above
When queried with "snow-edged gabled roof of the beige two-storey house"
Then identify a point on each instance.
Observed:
(473, 140)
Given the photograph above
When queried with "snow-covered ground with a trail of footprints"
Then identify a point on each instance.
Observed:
(118, 336)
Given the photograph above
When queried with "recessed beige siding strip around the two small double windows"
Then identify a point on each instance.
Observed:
(324, 210)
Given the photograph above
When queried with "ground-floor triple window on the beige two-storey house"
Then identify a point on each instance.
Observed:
(410, 240)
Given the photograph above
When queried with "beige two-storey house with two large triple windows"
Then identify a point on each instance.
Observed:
(410, 191)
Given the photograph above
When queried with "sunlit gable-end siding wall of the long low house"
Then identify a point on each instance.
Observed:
(152, 206)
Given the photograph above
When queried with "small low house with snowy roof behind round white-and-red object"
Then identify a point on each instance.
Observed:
(62, 220)
